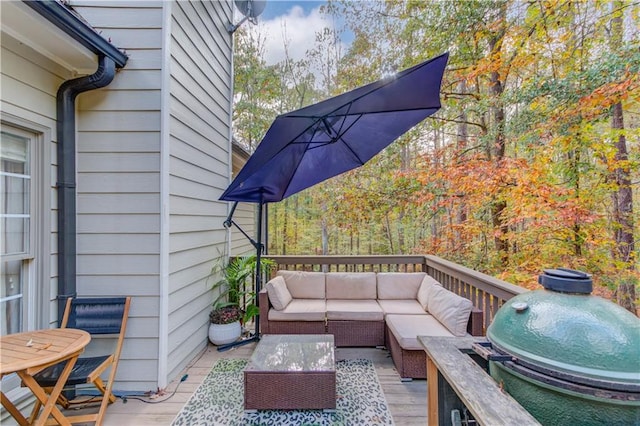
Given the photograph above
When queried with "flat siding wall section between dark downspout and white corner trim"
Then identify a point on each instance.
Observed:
(118, 150)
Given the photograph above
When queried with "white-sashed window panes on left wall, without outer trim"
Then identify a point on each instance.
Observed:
(16, 227)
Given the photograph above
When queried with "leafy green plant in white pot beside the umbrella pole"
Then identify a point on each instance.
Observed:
(235, 304)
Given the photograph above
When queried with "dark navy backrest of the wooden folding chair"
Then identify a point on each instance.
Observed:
(97, 315)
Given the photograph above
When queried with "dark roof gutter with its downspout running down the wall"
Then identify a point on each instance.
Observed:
(109, 58)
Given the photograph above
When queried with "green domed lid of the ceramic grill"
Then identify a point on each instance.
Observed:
(578, 335)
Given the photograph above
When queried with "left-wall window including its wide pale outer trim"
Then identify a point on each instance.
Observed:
(25, 230)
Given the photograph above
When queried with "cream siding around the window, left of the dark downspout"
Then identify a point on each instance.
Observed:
(29, 84)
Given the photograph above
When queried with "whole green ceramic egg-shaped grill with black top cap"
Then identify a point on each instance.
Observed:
(568, 357)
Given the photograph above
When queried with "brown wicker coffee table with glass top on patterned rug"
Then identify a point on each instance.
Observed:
(289, 372)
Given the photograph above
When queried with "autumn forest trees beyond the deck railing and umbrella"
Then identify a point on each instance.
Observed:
(532, 162)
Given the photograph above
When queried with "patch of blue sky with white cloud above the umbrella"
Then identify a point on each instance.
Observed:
(295, 21)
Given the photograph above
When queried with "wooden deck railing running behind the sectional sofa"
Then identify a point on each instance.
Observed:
(486, 292)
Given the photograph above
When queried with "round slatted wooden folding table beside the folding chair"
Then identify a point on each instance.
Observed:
(28, 353)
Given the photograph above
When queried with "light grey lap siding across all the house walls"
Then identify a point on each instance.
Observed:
(152, 152)
